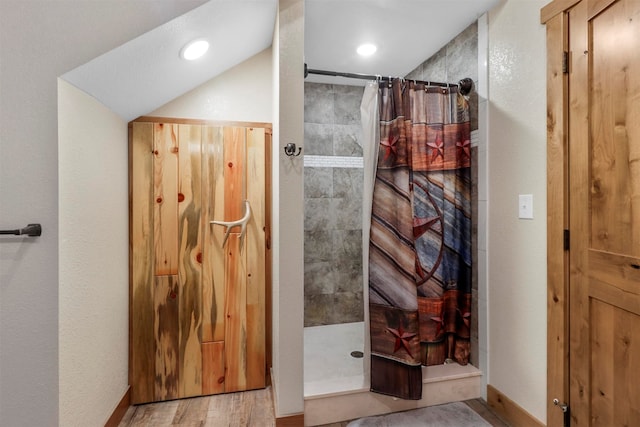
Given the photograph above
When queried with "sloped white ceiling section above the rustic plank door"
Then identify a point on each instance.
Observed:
(147, 72)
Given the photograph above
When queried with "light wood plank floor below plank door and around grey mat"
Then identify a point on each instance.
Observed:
(244, 409)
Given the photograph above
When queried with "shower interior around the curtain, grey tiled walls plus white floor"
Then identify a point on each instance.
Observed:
(336, 300)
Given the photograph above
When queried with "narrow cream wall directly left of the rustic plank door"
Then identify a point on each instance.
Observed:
(93, 249)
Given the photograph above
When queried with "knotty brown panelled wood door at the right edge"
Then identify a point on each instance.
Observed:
(604, 212)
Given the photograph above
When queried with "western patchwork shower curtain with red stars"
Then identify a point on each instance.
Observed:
(420, 238)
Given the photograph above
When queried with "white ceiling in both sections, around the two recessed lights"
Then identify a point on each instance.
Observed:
(147, 72)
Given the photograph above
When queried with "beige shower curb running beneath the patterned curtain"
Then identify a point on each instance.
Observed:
(441, 384)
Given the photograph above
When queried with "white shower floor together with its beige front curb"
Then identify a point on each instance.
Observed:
(334, 383)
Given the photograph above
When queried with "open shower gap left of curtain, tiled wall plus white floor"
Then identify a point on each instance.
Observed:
(333, 279)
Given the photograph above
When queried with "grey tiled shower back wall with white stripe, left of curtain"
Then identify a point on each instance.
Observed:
(333, 178)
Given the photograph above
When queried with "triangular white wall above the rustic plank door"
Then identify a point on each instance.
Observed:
(243, 93)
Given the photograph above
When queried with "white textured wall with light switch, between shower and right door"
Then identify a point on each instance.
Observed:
(517, 284)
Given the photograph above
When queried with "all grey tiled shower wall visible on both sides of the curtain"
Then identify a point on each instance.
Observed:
(333, 195)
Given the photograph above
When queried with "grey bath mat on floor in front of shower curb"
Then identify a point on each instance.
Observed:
(455, 414)
